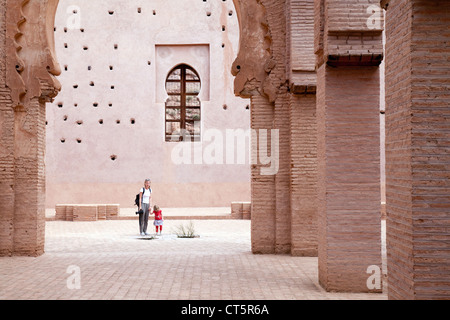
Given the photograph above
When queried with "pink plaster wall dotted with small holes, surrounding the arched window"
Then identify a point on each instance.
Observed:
(93, 36)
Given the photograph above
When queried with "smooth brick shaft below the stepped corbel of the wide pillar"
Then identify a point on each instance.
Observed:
(349, 176)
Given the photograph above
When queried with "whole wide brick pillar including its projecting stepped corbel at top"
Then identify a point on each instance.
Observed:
(349, 50)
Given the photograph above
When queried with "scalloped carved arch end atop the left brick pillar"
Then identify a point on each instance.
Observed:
(32, 69)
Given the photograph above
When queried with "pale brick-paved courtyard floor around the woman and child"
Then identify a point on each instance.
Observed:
(115, 263)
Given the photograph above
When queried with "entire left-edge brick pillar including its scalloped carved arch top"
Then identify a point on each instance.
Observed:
(26, 83)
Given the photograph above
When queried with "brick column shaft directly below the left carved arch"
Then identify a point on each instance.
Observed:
(29, 182)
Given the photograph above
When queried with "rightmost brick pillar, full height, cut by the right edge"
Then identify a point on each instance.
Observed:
(417, 149)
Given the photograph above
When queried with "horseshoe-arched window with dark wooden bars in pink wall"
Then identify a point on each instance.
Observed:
(183, 105)
